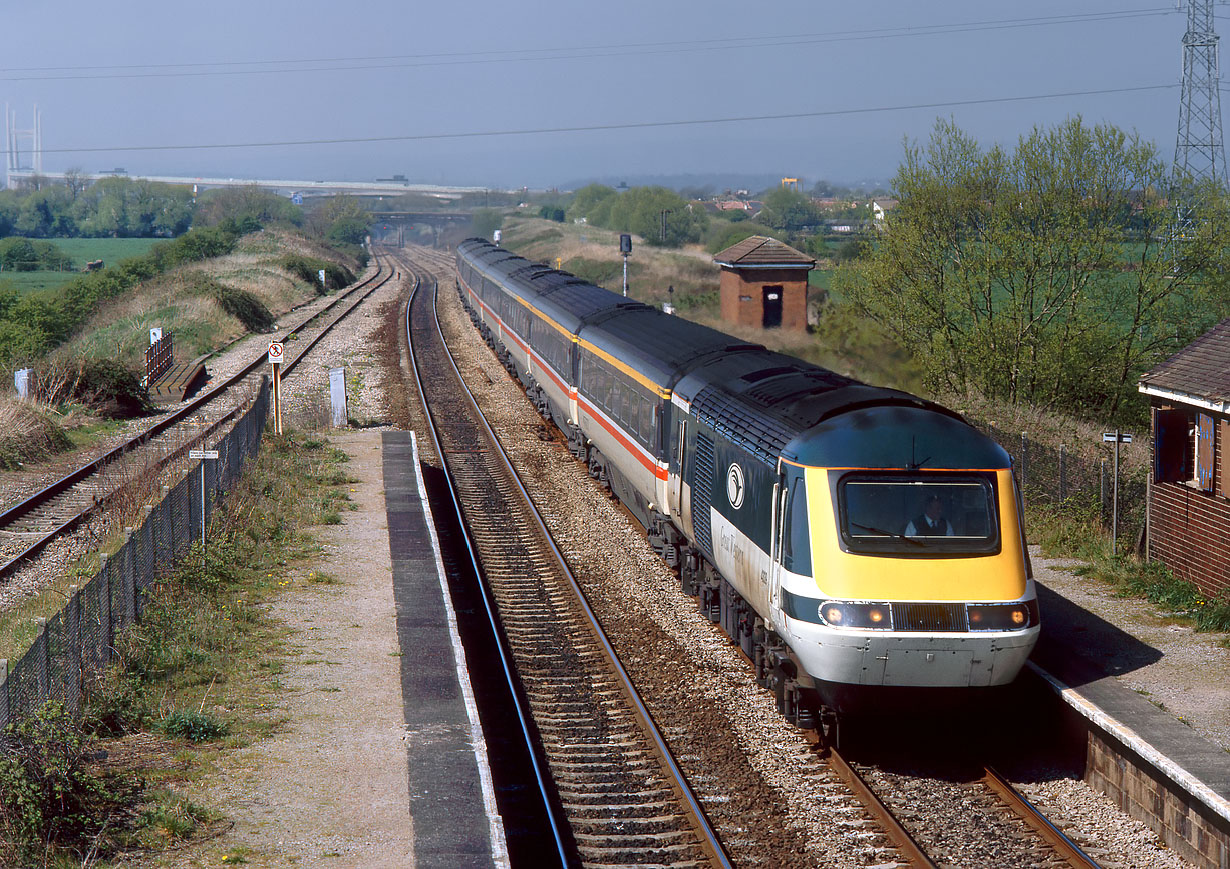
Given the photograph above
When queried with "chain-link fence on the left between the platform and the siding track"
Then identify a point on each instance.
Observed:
(82, 637)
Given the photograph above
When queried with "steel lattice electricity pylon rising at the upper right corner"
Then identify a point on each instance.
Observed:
(1199, 148)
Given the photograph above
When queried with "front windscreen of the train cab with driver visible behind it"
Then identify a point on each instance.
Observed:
(919, 517)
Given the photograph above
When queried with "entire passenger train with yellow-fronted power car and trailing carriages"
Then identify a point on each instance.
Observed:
(855, 541)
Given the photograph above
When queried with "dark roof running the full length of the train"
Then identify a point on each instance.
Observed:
(774, 405)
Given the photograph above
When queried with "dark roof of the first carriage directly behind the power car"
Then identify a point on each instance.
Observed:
(659, 346)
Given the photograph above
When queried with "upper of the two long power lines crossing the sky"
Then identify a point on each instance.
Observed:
(541, 55)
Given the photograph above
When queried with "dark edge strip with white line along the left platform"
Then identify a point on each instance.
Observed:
(452, 800)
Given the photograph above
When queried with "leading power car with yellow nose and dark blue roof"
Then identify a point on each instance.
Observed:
(867, 544)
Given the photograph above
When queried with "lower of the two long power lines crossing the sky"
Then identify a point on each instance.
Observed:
(600, 128)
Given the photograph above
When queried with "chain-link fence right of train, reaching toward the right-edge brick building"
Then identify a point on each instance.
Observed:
(1057, 478)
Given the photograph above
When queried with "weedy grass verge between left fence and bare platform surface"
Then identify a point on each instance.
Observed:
(197, 677)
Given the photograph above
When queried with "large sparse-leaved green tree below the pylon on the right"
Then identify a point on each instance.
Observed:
(1045, 276)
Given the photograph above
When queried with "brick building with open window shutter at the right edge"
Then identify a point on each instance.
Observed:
(1190, 497)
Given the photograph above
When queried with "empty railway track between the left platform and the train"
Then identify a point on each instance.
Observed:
(623, 797)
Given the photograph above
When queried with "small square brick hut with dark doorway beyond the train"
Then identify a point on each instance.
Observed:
(764, 285)
